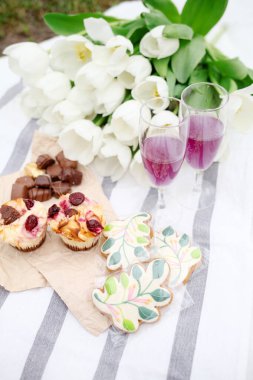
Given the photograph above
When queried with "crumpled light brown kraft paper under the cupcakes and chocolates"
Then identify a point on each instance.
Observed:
(71, 274)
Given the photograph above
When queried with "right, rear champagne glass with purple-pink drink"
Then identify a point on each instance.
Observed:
(208, 112)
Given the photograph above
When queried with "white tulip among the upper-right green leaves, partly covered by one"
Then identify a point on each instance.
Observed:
(155, 45)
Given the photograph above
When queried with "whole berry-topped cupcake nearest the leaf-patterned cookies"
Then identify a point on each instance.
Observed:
(78, 220)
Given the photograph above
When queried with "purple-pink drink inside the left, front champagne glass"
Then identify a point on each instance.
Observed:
(162, 157)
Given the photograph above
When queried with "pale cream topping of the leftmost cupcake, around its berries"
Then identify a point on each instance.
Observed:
(16, 231)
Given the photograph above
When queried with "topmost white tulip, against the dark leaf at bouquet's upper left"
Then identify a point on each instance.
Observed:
(98, 29)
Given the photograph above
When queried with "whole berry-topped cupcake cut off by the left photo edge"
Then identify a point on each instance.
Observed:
(23, 224)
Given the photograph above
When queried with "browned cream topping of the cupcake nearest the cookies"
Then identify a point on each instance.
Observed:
(77, 226)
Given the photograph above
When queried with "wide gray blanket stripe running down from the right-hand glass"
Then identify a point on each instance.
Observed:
(185, 339)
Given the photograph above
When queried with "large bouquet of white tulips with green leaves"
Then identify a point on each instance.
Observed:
(88, 88)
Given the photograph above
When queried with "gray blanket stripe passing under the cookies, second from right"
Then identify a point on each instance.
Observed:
(116, 340)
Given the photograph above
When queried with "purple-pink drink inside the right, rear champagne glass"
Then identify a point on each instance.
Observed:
(205, 135)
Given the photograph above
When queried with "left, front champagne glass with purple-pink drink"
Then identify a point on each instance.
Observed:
(162, 139)
